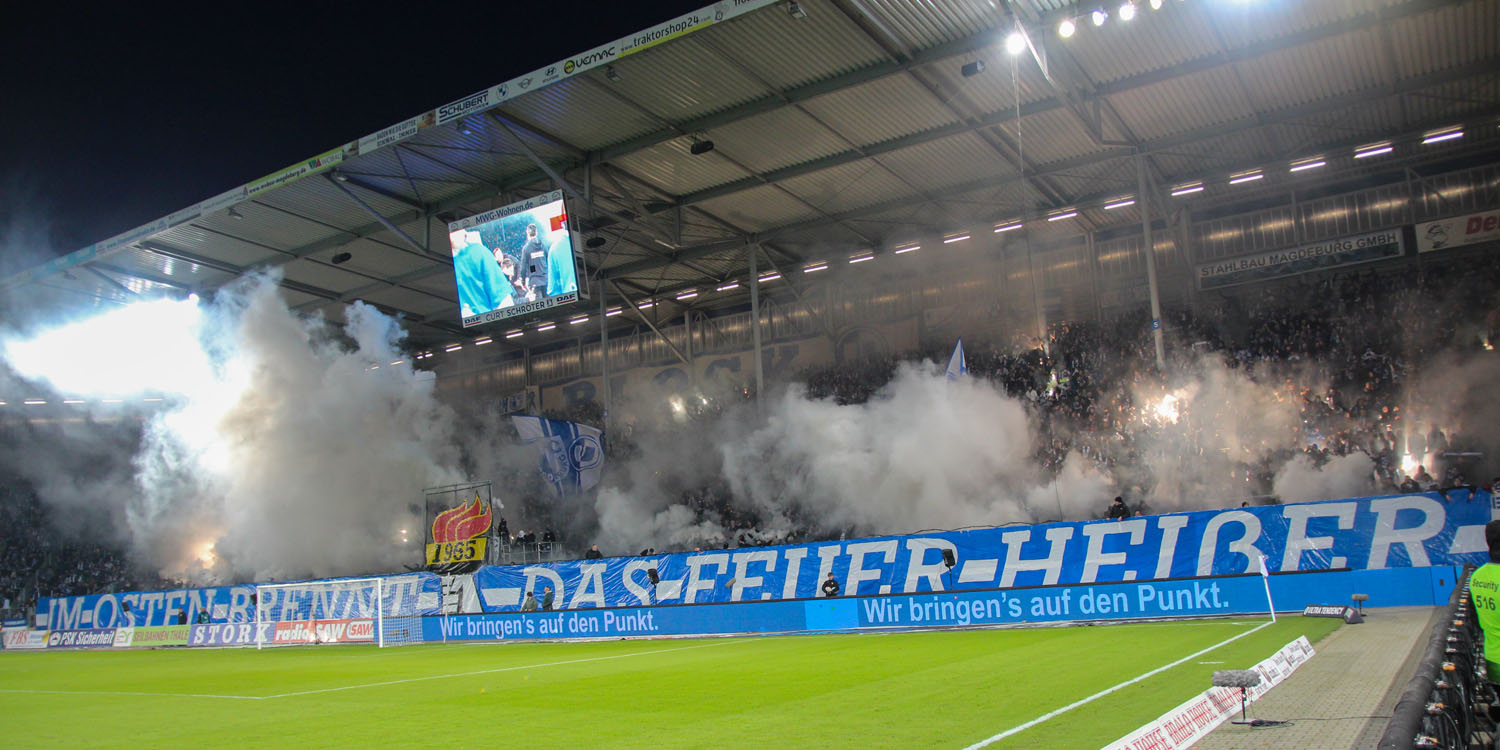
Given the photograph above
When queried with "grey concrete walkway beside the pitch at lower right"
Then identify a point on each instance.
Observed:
(1345, 695)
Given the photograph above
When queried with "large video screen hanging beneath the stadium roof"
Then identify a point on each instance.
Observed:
(517, 260)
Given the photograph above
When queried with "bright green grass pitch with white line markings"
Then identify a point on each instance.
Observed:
(901, 691)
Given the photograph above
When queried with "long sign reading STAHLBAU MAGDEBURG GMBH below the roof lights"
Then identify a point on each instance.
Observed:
(1276, 265)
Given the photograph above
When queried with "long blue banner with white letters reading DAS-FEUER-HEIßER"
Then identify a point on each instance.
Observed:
(1361, 533)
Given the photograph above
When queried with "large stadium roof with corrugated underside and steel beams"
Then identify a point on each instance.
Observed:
(836, 128)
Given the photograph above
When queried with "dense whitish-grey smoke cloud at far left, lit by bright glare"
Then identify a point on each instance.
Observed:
(277, 452)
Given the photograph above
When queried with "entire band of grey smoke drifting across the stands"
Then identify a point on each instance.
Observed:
(287, 448)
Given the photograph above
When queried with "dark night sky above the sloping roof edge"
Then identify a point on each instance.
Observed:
(115, 115)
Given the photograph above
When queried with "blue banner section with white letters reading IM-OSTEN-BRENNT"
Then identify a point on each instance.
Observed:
(406, 595)
